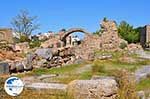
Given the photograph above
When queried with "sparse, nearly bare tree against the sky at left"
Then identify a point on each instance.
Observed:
(24, 24)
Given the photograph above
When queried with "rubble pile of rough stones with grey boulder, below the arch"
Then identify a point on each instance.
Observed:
(46, 57)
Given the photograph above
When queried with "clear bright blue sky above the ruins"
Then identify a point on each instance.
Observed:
(54, 15)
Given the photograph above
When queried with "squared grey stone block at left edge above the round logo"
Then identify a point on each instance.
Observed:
(4, 68)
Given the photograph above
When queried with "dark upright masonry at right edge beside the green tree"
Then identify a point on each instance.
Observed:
(145, 36)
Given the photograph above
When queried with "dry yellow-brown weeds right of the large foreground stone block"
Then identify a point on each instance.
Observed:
(127, 86)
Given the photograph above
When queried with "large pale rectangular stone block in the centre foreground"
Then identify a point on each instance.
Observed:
(93, 89)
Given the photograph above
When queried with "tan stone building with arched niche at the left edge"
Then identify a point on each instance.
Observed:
(6, 34)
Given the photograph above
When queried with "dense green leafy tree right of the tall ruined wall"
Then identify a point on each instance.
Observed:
(127, 32)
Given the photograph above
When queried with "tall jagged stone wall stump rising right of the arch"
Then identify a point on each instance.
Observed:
(109, 38)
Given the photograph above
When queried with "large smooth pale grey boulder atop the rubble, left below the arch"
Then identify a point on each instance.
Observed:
(45, 53)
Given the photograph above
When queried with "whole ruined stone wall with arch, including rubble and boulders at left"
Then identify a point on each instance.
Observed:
(59, 50)
